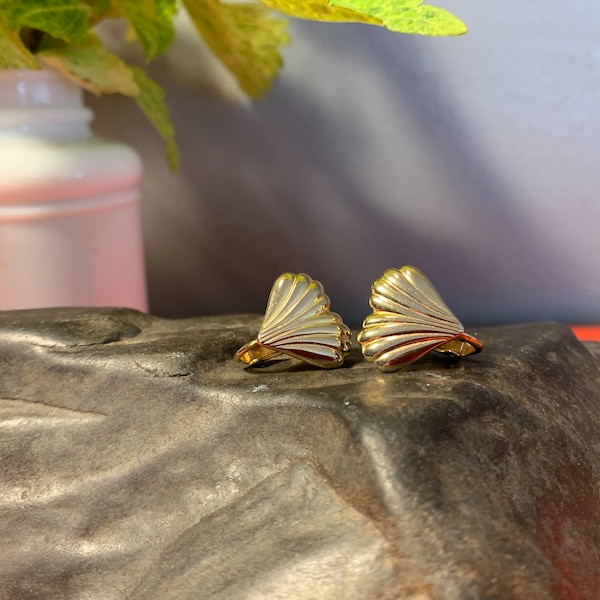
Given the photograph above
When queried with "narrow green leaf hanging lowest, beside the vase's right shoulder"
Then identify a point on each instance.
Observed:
(151, 100)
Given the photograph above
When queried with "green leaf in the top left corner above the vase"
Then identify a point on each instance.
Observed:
(63, 19)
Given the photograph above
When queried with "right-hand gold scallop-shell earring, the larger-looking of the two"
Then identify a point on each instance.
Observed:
(409, 320)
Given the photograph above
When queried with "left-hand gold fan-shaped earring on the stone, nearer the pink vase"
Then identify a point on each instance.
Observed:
(298, 324)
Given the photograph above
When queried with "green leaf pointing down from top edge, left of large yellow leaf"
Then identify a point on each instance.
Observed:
(152, 21)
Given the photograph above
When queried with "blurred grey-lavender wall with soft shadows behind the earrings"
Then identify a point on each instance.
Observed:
(476, 159)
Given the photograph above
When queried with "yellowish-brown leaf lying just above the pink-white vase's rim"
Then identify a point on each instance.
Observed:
(90, 66)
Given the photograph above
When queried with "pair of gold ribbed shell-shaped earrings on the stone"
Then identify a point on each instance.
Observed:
(409, 320)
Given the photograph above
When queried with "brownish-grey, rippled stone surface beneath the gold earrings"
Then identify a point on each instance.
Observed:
(139, 461)
